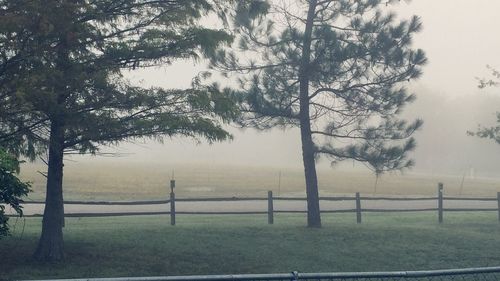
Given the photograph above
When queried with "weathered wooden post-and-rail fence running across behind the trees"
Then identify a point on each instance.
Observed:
(271, 211)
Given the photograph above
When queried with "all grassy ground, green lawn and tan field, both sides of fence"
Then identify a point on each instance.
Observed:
(148, 246)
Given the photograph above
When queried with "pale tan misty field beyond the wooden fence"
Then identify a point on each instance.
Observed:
(129, 181)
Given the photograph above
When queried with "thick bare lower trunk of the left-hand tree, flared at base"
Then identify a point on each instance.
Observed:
(50, 245)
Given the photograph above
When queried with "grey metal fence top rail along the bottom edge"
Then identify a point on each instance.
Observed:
(482, 273)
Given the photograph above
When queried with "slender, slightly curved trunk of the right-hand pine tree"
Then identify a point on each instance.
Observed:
(308, 150)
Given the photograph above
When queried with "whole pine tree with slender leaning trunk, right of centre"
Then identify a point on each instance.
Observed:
(337, 70)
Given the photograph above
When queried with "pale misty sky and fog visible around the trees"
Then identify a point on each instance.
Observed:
(460, 37)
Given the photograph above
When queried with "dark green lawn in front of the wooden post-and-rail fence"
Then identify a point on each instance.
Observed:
(149, 246)
